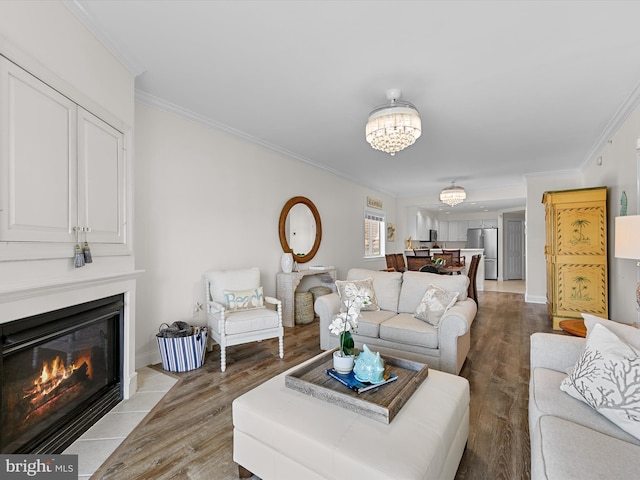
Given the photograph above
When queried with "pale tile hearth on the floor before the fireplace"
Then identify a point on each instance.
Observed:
(100, 441)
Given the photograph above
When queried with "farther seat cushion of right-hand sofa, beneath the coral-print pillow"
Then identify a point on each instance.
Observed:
(548, 399)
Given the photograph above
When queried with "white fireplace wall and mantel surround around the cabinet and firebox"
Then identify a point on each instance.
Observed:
(47, 40)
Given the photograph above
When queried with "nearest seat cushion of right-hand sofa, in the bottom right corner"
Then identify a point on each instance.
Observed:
(570, 450)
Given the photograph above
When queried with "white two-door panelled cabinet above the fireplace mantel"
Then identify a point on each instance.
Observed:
(62, 167)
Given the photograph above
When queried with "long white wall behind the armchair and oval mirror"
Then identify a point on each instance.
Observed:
(207, 200)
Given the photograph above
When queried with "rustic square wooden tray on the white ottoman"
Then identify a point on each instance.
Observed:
(381, 404)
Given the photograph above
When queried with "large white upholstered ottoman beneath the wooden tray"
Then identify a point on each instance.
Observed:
(280, 434)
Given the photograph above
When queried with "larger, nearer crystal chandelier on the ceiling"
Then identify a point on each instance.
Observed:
(395, 126)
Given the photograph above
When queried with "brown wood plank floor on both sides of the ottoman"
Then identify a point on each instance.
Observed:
(189, 433)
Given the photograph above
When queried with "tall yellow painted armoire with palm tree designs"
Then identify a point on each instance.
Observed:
(576, 253)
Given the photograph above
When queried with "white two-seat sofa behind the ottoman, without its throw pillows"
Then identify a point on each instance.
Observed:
(393, 330)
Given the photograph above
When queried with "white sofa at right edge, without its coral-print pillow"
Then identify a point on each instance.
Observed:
(569, 439)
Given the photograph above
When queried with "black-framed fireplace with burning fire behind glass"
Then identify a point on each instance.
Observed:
(60, 372)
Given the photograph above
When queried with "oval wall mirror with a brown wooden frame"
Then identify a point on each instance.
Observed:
(300, 229)
